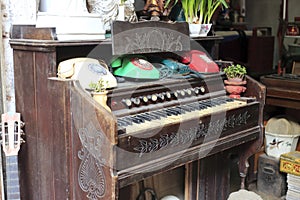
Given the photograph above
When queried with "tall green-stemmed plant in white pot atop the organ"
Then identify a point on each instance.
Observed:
(199, 12)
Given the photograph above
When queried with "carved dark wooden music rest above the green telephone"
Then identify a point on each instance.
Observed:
(149, 36)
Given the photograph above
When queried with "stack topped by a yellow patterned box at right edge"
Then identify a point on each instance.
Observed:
(290, 164)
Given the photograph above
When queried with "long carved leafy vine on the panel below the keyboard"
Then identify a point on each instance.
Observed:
(187, 136)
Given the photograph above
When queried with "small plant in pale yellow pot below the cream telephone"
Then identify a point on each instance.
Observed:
(99, 92)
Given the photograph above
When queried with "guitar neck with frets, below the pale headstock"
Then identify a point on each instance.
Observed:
(12, 178)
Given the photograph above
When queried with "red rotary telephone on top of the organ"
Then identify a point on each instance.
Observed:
(200, 62)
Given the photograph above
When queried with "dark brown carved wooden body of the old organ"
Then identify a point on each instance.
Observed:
(75, 150)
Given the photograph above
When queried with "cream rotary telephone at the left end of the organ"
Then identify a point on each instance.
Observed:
(86, 70)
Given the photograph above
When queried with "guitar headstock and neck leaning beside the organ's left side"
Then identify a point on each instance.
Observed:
(11, 140)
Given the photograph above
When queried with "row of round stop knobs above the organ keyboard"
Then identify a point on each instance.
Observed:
(163, 96)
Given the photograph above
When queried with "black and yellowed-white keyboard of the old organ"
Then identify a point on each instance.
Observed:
(176, 114)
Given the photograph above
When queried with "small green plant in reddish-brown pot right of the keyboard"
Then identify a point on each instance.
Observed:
(235, 82)
